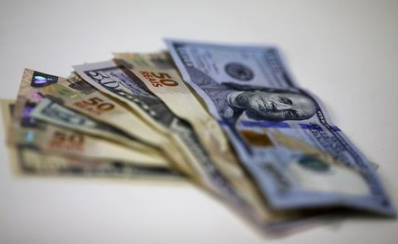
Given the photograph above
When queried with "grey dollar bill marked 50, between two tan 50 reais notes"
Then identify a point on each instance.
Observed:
(117, 81)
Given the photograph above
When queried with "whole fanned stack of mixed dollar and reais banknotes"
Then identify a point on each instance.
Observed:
(230, 119)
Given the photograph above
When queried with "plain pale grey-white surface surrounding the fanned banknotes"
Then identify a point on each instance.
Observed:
(343, 51)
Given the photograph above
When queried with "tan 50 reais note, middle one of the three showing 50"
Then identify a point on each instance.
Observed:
(80, 96)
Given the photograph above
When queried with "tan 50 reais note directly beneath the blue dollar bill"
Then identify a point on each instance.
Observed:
(182, 101)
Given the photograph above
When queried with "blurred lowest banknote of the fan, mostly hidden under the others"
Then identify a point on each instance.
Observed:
(28, 159)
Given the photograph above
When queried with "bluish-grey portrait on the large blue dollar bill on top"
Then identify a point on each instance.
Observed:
(256, 103)
